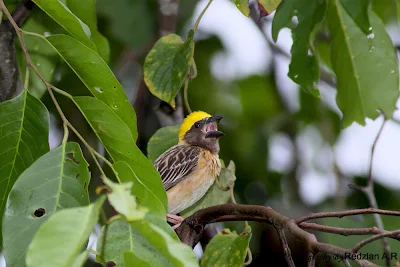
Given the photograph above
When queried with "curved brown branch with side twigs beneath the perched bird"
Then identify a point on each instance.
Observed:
(192, 227)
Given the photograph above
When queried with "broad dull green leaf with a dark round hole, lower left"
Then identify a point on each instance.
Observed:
(57, 180)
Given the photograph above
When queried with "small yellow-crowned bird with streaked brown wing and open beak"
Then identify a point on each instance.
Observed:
(189, 168)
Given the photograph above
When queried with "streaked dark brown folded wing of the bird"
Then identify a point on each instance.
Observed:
(177, 163)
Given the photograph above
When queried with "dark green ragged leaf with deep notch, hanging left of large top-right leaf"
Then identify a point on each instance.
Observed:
(303, 68)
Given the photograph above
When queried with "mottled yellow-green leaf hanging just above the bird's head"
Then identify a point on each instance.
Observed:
(167, 64)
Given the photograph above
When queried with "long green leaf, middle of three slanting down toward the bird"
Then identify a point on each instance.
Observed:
(97, 77)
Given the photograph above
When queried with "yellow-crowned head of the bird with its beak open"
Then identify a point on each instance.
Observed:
(201, 129)
